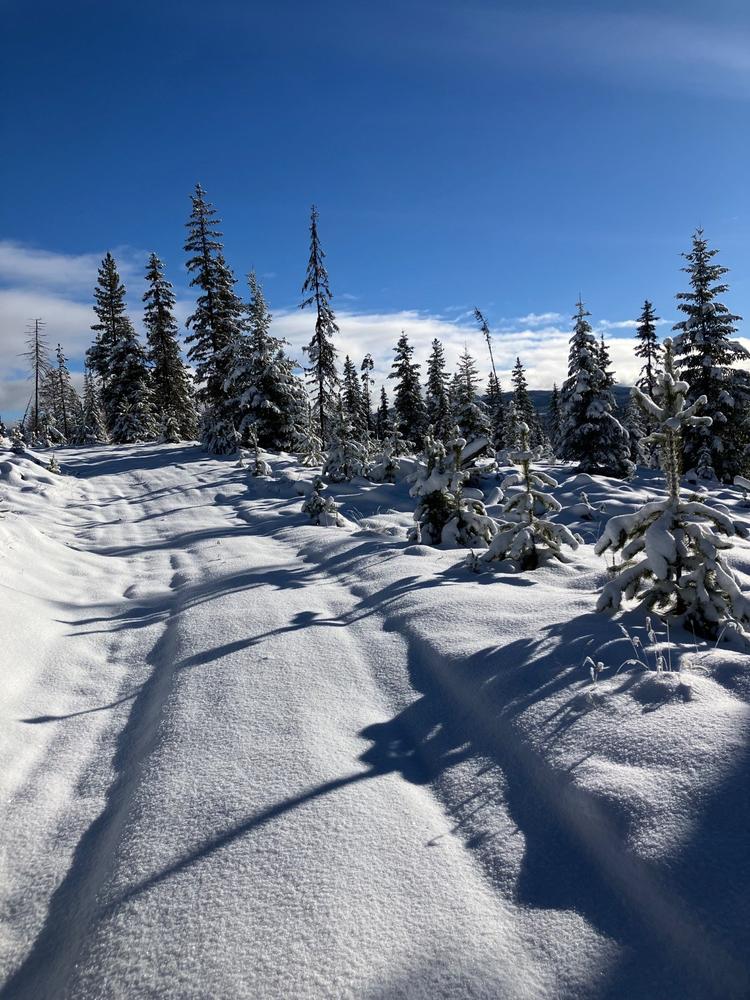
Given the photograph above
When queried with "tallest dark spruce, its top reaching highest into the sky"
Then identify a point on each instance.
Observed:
(215, 324)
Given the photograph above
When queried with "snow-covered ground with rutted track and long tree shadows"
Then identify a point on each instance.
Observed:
(243, 756)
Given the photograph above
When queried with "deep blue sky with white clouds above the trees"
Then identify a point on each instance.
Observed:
(497, 154)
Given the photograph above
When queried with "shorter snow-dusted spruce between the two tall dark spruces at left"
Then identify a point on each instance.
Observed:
(131, 397)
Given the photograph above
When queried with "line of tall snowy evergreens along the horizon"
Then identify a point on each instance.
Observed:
(244, 387)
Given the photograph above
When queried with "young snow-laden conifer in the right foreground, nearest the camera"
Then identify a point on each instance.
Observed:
(672, 548)
